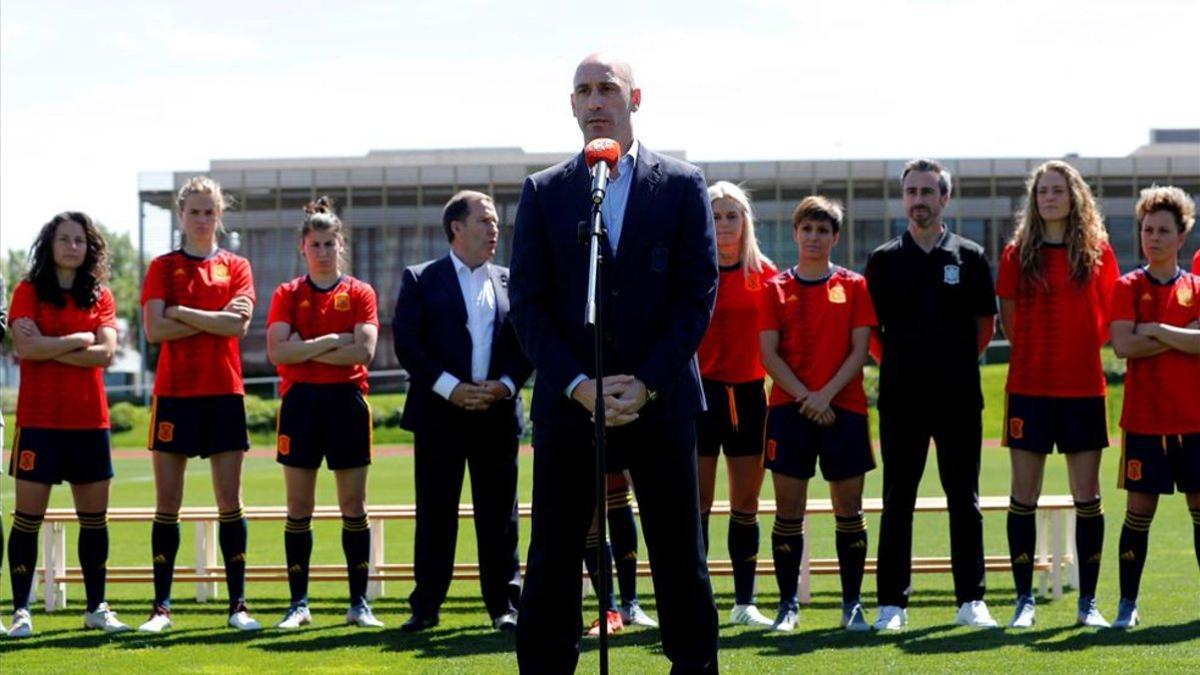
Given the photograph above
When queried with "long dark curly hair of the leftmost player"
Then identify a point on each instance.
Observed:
(89, 278)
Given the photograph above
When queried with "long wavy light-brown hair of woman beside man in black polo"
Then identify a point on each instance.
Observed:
(1085, 234)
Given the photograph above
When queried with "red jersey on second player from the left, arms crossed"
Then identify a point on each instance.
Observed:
(203, 365)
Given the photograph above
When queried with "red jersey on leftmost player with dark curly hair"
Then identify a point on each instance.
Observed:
(58, 396)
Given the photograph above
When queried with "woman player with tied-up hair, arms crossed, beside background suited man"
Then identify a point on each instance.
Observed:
(321, 334)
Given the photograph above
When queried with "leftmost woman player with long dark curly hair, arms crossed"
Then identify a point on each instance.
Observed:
(64, 331)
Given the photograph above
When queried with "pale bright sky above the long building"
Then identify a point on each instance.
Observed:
(91, 95)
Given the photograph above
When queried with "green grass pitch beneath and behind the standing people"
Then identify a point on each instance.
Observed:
(1168, 642)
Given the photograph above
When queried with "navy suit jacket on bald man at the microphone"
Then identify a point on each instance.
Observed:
(659, 288)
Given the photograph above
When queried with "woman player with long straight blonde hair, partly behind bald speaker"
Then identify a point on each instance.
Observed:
(733, 375)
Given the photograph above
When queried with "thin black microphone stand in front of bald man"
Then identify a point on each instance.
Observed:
(595, 318)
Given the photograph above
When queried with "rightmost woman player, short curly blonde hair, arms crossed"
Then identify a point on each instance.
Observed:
(1156, 325)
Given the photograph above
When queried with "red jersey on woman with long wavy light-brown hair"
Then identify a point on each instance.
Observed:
(1059, 325)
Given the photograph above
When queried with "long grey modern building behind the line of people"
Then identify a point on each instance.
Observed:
(392, 204)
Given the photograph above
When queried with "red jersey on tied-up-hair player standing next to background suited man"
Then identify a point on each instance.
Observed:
(313, 313)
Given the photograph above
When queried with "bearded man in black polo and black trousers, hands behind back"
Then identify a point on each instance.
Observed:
(937, 306)
